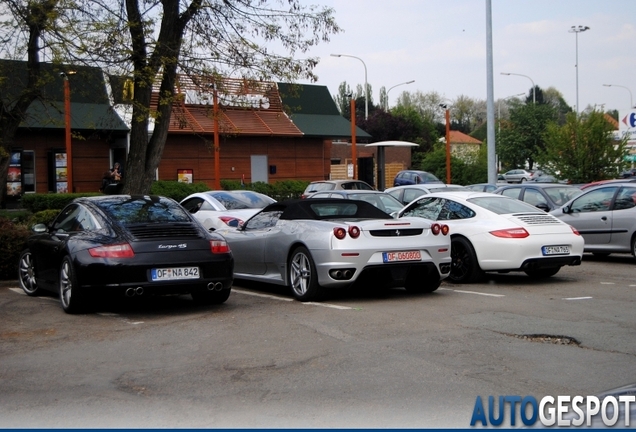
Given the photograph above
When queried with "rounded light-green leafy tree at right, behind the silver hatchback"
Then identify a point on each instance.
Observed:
(583, 149)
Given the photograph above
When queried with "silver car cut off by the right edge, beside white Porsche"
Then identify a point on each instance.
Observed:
(605, 216)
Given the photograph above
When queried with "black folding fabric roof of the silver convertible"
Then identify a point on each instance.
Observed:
(326, 208)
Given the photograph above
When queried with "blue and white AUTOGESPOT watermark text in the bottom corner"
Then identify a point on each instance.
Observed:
(561, 411)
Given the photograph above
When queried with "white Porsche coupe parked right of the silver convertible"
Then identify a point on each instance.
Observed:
(494, 233)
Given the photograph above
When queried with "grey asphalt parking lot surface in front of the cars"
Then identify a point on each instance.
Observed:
(359, 359)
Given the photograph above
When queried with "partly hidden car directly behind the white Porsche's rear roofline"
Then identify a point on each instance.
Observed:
(546, 196)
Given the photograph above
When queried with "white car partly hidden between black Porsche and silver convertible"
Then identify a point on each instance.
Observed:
(217, 209)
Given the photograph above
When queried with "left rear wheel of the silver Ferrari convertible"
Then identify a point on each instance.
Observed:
(303, 278)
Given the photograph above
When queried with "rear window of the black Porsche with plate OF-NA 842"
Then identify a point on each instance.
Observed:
(143, 209)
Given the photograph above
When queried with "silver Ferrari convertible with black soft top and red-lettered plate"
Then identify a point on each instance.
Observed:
(312, 245)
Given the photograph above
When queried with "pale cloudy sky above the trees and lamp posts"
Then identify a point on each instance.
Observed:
(442, 46)
